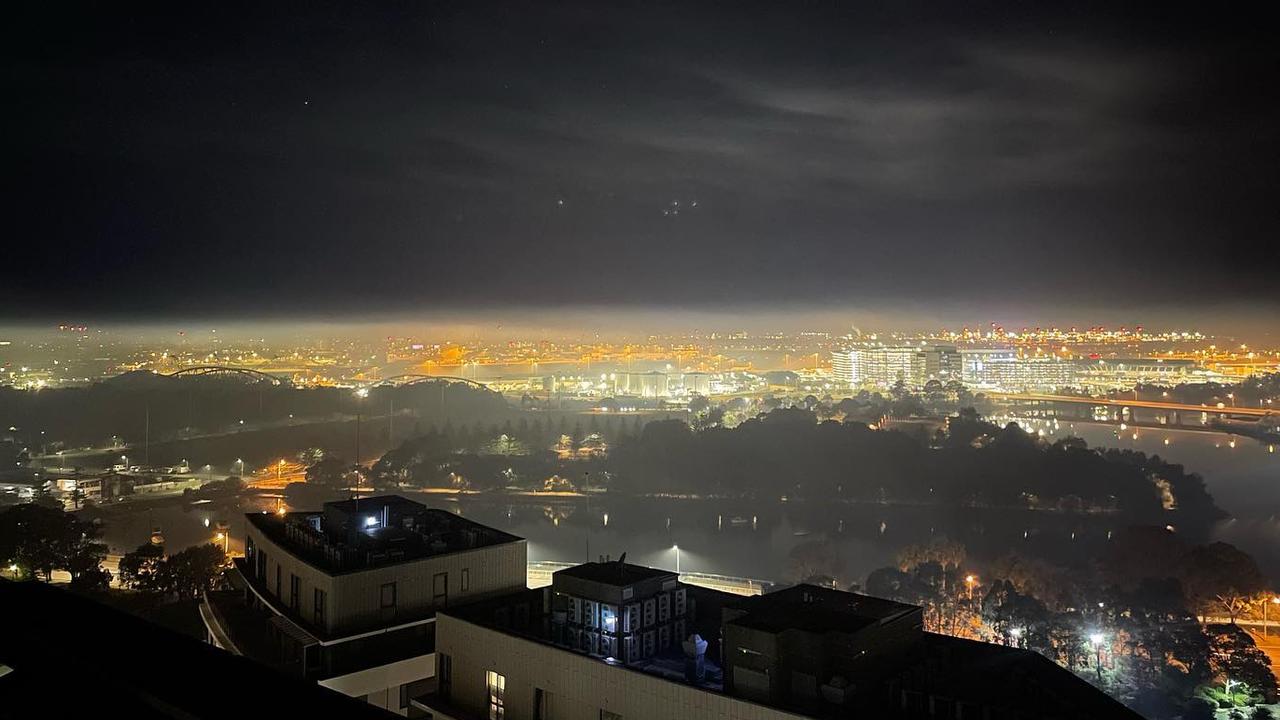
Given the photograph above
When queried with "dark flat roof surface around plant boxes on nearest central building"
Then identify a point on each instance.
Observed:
(930, 666)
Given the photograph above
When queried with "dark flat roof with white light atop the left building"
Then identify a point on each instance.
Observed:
(373, 532)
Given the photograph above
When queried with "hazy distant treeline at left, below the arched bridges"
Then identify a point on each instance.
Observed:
(176, 407)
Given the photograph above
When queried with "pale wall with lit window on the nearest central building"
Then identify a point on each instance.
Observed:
(580, 687)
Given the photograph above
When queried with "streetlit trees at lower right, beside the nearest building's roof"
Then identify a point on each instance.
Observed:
(1127, 621)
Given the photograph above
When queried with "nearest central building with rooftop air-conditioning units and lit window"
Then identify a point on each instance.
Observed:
(799, 653)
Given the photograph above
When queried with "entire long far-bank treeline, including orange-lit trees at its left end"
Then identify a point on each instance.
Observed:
(790, 454)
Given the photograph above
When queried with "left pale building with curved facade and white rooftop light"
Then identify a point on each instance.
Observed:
(349, 596)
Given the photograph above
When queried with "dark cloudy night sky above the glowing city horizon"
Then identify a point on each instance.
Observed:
(262, 161)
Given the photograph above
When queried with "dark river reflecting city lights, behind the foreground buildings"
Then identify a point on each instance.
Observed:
(757, 540)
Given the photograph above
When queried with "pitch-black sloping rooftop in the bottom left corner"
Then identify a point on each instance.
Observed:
(75, 658)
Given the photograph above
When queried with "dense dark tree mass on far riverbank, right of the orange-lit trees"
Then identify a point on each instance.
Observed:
(976, 464)
